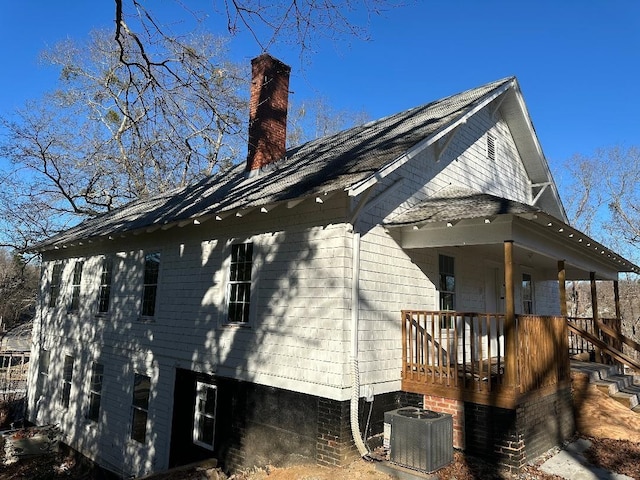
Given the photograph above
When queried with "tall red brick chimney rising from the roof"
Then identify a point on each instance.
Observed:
(267, 111)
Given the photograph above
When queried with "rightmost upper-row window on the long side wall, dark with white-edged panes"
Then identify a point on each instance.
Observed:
(240, 282)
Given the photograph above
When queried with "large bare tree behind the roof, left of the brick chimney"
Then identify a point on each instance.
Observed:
(110, 134)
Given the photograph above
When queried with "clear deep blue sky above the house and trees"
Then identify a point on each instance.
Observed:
(577, 62)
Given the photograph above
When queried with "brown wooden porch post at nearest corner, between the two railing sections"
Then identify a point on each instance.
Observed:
(511, 354)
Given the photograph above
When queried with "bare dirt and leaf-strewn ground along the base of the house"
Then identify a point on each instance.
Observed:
(613, 429)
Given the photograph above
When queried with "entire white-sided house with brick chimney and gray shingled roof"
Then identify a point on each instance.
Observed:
(256, 316)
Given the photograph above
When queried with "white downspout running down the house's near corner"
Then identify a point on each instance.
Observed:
(355, 373)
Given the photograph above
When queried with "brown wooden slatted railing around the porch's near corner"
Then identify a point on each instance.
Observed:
(462, 355)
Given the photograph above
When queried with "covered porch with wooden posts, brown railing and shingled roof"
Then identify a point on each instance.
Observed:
(516, 349)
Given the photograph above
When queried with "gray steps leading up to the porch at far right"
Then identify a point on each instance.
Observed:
(609, 379)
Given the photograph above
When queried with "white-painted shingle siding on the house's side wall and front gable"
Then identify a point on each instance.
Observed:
(299, 334)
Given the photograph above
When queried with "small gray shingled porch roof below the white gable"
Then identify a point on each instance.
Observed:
(457, 203)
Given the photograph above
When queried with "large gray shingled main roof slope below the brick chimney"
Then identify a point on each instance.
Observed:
(332, 163)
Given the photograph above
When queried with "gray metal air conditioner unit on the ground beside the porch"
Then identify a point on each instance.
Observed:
(419, 439)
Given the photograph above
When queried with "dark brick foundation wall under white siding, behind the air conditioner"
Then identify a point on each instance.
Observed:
(260, 425)
